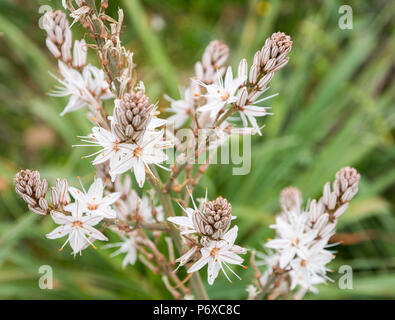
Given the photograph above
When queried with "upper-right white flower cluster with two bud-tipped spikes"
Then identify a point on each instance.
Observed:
(226, 96)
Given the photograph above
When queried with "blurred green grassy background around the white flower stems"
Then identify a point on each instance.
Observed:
(335, 108)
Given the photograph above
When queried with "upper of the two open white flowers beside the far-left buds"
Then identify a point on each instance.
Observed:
(93, 202)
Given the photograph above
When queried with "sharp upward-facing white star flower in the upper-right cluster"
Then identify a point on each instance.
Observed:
(221, 94)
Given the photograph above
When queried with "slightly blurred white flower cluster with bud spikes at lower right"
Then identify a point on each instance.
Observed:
(303, 235)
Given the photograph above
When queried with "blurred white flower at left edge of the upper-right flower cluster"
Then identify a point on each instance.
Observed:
(182, 108)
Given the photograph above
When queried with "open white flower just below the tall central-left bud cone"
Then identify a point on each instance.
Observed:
(139, 157)
